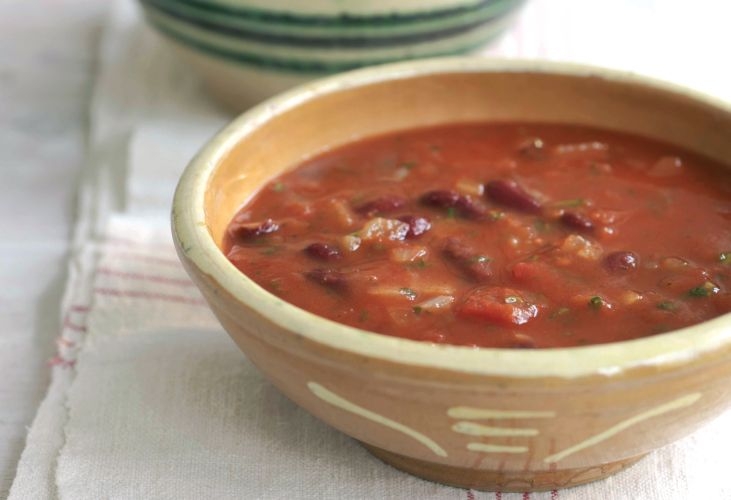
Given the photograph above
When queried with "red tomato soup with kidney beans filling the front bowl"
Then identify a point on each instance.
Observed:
(496, 235)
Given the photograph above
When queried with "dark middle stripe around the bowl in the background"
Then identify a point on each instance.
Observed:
(319, 35)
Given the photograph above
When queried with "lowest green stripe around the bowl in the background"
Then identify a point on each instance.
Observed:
(303, 66)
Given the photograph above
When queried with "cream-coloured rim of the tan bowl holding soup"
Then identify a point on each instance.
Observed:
(191, 234)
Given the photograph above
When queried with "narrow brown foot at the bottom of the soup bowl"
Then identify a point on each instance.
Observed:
(504, 481)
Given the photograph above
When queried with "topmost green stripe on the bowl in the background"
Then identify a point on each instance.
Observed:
(347, 20)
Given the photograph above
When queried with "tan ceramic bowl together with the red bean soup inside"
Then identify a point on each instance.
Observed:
(501, 275)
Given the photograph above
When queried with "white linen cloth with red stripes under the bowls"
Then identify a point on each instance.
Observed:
(149, 397)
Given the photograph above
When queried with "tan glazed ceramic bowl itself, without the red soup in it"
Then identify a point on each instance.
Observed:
(481, 418)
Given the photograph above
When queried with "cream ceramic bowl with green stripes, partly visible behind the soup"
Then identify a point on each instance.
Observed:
(247, 50)
